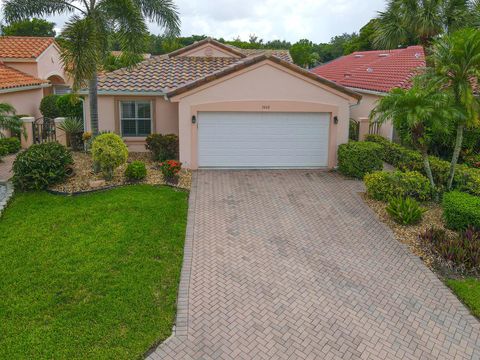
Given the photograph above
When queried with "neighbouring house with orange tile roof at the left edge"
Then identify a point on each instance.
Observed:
(30, 68)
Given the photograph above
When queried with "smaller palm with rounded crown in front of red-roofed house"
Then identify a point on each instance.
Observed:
(419, 112)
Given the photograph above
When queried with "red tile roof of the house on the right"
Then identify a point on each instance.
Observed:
(379, 70)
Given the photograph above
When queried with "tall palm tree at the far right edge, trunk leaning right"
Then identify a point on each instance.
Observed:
(457, 69)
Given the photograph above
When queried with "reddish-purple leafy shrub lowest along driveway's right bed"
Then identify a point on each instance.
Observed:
(461, 250)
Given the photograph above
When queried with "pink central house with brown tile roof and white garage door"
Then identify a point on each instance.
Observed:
(231, 107)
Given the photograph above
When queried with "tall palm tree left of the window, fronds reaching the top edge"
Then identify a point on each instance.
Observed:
(84, 37)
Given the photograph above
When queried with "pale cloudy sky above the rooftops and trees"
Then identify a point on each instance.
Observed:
(291, 20)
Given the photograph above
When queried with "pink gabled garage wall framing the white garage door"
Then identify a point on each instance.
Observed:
(266, 86)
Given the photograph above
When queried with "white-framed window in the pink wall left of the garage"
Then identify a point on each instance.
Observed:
(136, 118)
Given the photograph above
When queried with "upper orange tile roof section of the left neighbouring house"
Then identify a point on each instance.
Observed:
(23, 47)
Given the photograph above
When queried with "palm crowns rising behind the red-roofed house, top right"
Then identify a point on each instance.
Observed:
(407, 22)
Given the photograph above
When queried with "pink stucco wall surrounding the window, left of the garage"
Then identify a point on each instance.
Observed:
(164, 113)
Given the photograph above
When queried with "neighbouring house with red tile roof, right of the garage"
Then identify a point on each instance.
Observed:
(373, 74)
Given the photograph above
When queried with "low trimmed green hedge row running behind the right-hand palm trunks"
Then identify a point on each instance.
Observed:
(466, 179)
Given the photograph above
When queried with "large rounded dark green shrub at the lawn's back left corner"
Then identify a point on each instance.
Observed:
(41, 165)
